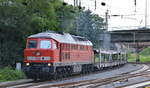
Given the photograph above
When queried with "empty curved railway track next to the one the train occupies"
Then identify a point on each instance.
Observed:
(100, 82)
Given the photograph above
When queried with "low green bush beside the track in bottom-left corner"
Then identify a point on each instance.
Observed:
(8, 74)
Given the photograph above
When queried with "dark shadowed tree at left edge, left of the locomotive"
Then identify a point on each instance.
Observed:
(13, 21)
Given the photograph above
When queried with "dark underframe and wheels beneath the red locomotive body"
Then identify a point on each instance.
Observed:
(42, 71)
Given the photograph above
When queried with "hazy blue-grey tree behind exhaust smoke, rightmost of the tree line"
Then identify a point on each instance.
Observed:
(89, 25)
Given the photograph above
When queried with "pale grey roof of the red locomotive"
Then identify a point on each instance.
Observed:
(63, 38)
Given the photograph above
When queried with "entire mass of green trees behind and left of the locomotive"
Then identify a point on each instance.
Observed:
(20, 18)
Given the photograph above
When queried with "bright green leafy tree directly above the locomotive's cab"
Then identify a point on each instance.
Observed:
(43, 14)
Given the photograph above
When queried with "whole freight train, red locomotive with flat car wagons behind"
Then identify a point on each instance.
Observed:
(51, 54)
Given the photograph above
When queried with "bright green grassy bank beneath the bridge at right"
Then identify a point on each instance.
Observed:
(144, 56)
